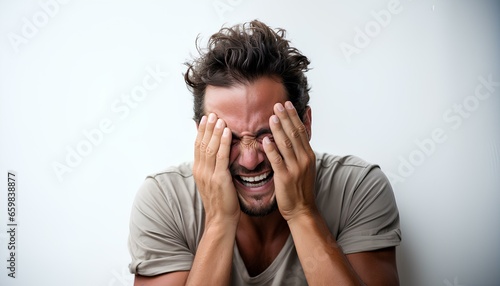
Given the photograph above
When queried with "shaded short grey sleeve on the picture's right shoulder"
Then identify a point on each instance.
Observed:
(372, 217)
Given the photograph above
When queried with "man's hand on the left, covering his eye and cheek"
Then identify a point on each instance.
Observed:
(211, 170)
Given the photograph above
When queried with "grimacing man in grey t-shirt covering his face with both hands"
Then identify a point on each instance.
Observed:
(258, 206)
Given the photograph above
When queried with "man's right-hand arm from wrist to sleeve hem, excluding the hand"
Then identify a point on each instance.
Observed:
(327, 261)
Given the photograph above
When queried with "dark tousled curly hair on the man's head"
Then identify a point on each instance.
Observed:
(242, 54)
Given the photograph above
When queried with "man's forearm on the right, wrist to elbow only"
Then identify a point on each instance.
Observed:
(322, 259)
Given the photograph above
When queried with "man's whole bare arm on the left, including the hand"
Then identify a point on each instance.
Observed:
(213, 259)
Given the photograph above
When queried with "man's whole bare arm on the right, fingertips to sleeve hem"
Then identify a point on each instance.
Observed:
(323, 261)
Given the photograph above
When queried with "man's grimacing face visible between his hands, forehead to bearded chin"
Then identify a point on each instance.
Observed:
(246, 110)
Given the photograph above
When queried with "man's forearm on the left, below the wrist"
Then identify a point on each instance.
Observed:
(213, 260)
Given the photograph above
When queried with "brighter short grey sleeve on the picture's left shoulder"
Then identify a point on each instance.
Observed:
(156, 243)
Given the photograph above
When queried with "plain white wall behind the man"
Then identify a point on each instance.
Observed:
(404, 92)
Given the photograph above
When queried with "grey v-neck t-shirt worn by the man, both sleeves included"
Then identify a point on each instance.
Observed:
(167, 220)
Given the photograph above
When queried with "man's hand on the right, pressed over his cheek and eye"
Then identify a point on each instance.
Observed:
(293, 162)
